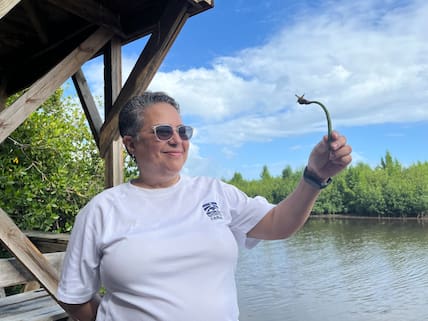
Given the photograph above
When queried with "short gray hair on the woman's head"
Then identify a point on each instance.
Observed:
(131, 117)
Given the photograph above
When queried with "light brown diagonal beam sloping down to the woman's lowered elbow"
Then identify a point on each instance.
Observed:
(26, 253)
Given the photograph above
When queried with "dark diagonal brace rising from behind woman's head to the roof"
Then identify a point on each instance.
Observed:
(146, 66)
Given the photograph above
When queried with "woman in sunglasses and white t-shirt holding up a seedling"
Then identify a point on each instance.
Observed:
(164, 246)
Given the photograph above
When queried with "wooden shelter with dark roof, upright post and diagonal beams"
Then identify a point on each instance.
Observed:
(45, 42)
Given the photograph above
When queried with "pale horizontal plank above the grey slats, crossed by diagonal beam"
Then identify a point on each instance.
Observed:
(12, 272)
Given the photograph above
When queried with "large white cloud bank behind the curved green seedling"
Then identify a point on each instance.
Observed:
(367, 64)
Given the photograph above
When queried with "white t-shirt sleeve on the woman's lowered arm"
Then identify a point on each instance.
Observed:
(80, 279)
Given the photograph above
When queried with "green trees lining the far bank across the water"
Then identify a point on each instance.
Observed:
(389, 190)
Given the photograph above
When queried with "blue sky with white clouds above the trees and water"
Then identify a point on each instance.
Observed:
(235, 70)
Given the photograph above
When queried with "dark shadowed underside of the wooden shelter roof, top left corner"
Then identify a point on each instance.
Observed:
(37, 34)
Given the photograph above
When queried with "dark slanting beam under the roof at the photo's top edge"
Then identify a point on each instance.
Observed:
(93, 12)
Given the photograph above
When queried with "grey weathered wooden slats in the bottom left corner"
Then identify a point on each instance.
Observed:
(30, 306)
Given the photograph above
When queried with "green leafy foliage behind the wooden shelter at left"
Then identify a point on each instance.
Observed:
(50, 167)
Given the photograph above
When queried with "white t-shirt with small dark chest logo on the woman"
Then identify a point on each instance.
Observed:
(164, 254)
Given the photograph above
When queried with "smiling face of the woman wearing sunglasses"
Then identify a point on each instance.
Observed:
(159, 161)
